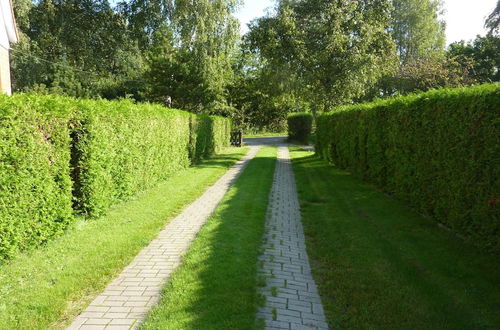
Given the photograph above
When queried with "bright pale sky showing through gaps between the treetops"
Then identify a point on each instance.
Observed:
(464, 18)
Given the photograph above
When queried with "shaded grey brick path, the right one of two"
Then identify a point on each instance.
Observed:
(292, 300)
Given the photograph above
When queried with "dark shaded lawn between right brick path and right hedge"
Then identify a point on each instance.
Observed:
(379, 265)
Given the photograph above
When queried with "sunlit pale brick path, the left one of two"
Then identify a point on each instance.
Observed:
(127, 299)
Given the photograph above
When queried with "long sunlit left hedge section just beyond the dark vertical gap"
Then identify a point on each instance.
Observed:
(122, 148)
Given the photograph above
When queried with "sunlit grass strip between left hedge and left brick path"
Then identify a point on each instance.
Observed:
(48, 287)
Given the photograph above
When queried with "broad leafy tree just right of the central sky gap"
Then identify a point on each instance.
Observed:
(337, 49)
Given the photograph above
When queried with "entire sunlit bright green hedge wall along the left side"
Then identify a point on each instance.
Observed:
(60, 156)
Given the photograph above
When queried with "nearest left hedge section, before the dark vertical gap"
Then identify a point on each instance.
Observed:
(35, 186)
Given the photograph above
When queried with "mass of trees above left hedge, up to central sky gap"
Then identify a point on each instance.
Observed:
(175, 52)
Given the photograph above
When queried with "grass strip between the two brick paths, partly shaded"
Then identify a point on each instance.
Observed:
(216, 285)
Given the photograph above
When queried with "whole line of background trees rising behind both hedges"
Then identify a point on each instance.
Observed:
(305, 55)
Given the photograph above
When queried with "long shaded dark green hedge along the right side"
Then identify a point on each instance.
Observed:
(439, 151)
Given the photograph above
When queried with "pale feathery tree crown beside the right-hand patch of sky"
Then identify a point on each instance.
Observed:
(417, 30)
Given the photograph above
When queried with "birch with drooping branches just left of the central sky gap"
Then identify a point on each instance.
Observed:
(190, 61)
